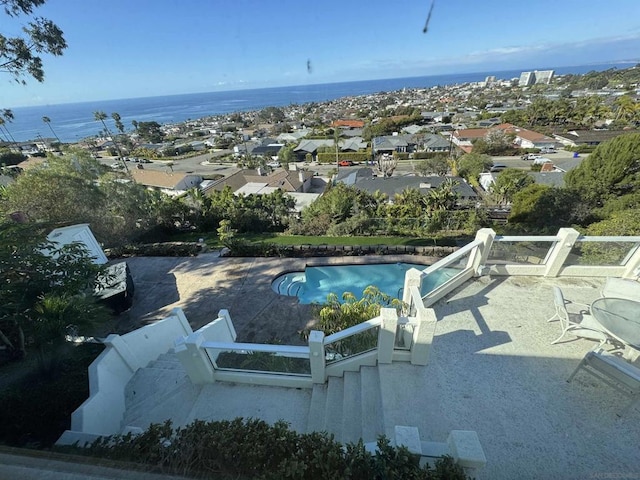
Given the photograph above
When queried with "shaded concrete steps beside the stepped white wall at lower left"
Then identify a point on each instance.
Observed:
(172, 396)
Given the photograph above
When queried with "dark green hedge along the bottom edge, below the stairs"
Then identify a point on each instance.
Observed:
(254, 449)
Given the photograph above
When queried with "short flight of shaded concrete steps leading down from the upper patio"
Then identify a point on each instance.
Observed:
(348, 407)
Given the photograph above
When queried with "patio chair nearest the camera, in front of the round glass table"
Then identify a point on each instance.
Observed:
(615, 372)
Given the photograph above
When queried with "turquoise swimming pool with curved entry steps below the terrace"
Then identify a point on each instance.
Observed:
(315, 283)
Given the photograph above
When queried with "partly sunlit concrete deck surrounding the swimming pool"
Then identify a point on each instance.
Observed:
(205, 284)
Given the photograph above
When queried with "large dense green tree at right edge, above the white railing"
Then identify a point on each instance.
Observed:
(612, 170)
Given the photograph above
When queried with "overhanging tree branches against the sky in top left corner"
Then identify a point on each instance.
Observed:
(21, 55)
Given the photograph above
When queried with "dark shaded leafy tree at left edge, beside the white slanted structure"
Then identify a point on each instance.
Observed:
(41, 277)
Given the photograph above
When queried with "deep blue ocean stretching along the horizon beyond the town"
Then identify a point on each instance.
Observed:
(74, 121)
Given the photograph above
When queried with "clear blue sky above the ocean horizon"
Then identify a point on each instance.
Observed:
(134, 48)
